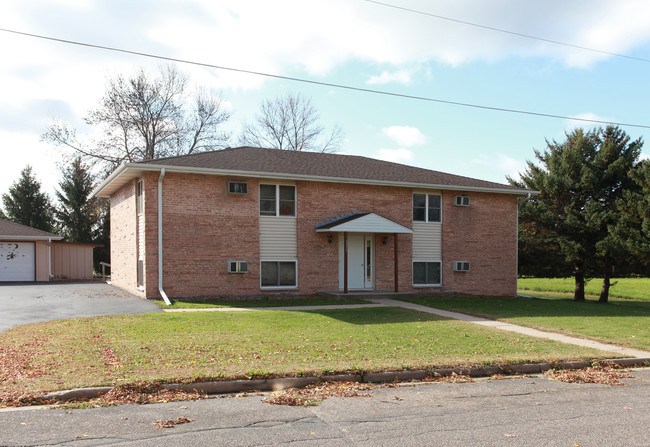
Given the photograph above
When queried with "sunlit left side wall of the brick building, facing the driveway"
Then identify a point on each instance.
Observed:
(124, 239)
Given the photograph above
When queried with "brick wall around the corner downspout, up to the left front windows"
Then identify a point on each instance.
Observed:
(203, 228)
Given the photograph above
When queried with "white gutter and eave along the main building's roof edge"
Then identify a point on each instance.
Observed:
(142, 167)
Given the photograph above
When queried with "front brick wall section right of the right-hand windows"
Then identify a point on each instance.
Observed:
(485, 234)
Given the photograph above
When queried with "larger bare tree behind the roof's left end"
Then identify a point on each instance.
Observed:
(145, 117)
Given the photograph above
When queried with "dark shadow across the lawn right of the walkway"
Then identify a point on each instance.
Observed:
(491, 307)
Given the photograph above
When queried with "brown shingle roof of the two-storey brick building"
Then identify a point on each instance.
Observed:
(336, 166)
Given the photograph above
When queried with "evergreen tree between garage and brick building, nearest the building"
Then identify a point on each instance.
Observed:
(76, 215)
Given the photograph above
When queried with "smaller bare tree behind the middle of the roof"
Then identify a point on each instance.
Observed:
(290, 122)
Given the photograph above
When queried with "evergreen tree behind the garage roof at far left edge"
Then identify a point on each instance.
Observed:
(26, 204)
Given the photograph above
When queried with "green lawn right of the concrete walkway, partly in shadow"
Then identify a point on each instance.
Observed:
(621, 322)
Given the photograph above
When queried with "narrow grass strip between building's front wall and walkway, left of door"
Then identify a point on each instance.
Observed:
(274, 302)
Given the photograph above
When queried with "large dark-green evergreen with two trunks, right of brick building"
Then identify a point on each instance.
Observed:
(582, 182)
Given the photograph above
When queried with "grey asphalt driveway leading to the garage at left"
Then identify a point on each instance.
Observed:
(33, 302)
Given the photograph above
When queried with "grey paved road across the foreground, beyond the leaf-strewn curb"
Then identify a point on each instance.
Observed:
(516, 412)
